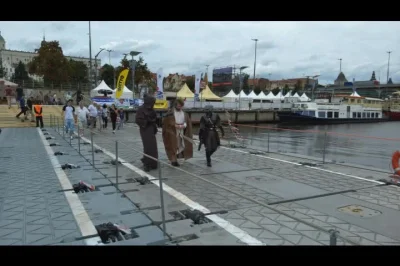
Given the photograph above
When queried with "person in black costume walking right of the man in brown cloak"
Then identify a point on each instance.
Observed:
(208, 134)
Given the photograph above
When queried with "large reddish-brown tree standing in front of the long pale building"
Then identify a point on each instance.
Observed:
(50, 63)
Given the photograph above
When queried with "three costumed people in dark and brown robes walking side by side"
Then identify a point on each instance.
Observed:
(177, 133)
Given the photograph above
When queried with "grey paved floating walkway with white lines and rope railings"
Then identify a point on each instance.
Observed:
(249, 196)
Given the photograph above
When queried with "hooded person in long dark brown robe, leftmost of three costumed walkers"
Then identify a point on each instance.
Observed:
(146, 119)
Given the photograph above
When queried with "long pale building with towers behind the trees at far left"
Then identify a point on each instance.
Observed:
(9, 59)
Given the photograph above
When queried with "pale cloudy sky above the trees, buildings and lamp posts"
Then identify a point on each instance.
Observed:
(285, 49)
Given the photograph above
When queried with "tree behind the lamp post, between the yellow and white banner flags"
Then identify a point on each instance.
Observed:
(142, 73)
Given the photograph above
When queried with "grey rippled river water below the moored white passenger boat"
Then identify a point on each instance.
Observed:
(350, 149)
